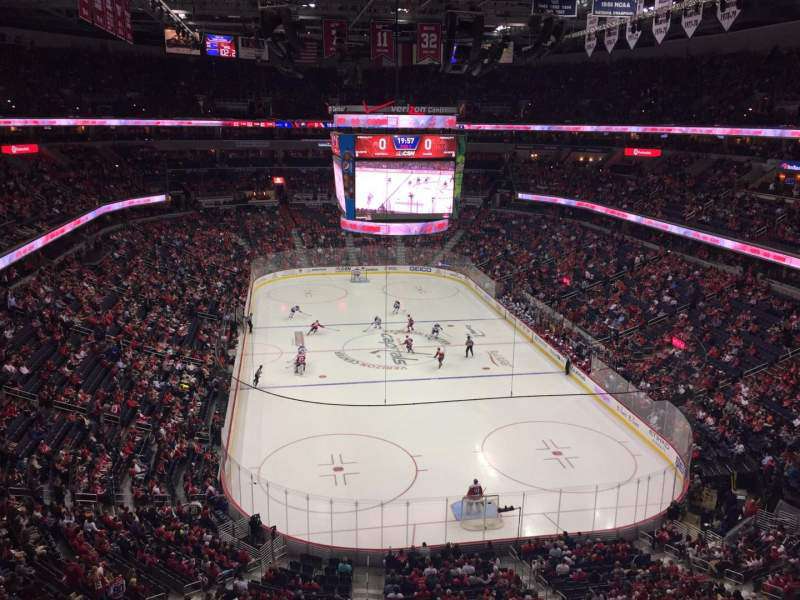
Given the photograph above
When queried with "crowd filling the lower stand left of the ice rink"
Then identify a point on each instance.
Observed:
(116, 360)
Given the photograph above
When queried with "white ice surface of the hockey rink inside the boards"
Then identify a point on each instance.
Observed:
(373, 446)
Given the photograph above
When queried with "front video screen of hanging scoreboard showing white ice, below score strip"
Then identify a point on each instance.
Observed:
(385, 188)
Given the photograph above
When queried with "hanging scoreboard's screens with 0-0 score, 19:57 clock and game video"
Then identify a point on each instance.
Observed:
(397, 177)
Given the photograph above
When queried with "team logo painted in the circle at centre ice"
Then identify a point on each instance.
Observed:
(390, 355)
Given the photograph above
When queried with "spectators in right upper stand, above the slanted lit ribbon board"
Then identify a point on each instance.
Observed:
(681, 188)
